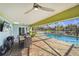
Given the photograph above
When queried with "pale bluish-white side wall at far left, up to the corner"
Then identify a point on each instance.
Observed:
(4, 33)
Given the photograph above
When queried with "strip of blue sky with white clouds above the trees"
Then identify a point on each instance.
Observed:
(64, 23)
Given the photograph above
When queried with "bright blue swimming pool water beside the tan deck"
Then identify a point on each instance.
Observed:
(68, 39)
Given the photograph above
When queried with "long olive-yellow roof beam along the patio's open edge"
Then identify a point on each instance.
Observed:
(69, 13)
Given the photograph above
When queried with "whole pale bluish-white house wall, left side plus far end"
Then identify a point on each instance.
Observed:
(14, 31)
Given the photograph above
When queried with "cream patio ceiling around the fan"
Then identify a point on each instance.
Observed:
(15, 11)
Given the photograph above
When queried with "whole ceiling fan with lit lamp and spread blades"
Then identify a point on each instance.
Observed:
(37, 6)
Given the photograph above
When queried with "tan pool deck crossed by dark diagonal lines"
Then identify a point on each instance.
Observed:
(44, 46)
